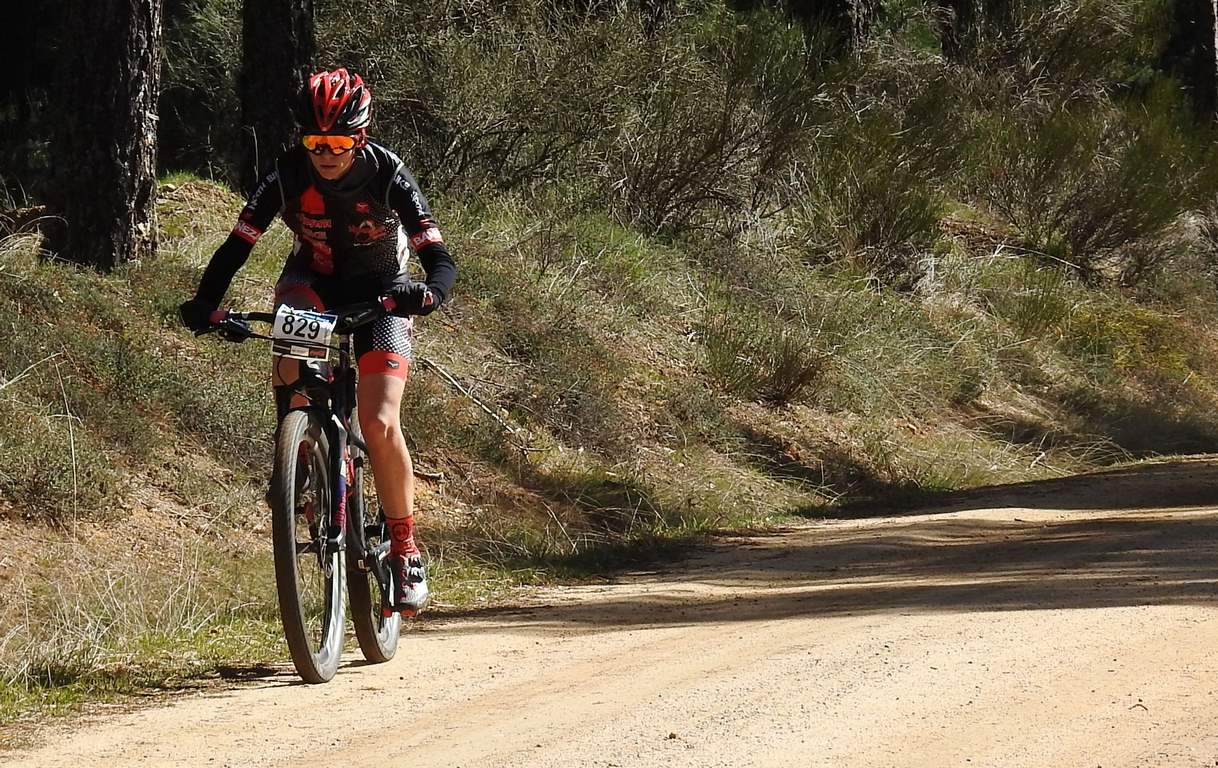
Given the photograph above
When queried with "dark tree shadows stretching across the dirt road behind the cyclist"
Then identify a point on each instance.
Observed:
(1158, 547)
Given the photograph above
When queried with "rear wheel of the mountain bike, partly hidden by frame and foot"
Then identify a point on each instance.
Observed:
(378, 635)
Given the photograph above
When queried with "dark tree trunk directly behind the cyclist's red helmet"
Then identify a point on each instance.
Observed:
(277, 51)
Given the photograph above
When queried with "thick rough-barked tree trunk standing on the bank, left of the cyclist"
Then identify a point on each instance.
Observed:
(104, 189)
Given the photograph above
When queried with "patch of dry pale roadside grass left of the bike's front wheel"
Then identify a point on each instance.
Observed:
(113, 625)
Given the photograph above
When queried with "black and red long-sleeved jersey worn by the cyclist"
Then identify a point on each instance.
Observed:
(359, 229)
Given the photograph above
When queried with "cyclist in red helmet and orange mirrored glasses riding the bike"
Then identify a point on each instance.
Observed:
(357, 214)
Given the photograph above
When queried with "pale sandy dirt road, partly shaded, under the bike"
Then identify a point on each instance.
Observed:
(1059, 625)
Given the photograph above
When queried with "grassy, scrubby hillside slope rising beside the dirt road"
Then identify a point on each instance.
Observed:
(640, 399)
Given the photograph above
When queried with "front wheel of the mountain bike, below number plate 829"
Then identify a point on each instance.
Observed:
(314, 624)
